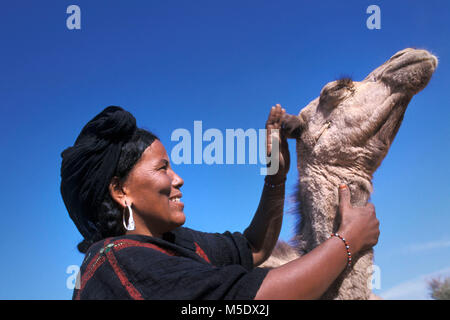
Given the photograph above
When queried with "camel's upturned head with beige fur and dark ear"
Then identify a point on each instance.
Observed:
(352, 124)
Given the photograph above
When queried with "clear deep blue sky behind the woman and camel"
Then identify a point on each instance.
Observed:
(171, 63)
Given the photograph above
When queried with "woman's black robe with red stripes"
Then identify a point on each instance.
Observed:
(185, 264)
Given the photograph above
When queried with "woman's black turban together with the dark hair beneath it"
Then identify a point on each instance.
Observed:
(108, 146)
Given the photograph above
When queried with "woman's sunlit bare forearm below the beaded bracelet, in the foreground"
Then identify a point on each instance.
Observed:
(307, 277)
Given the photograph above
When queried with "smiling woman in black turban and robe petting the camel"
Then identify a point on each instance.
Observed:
(124, 197)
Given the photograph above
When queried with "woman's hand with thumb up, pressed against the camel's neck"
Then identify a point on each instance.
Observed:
(359, 225)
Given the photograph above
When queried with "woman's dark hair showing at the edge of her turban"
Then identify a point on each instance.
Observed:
(109, 215)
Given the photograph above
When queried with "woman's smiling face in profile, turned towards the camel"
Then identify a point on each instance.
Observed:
(152, 188)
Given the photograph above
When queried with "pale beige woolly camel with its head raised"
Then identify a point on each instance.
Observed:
(342, 137)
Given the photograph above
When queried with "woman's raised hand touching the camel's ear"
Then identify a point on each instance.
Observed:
(274, 122)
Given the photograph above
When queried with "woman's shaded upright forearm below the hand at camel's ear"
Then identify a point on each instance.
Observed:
(265, 227)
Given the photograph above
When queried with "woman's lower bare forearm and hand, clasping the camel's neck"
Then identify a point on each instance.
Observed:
(309, 276)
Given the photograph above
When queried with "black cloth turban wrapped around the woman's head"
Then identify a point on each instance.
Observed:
(88, 166)
